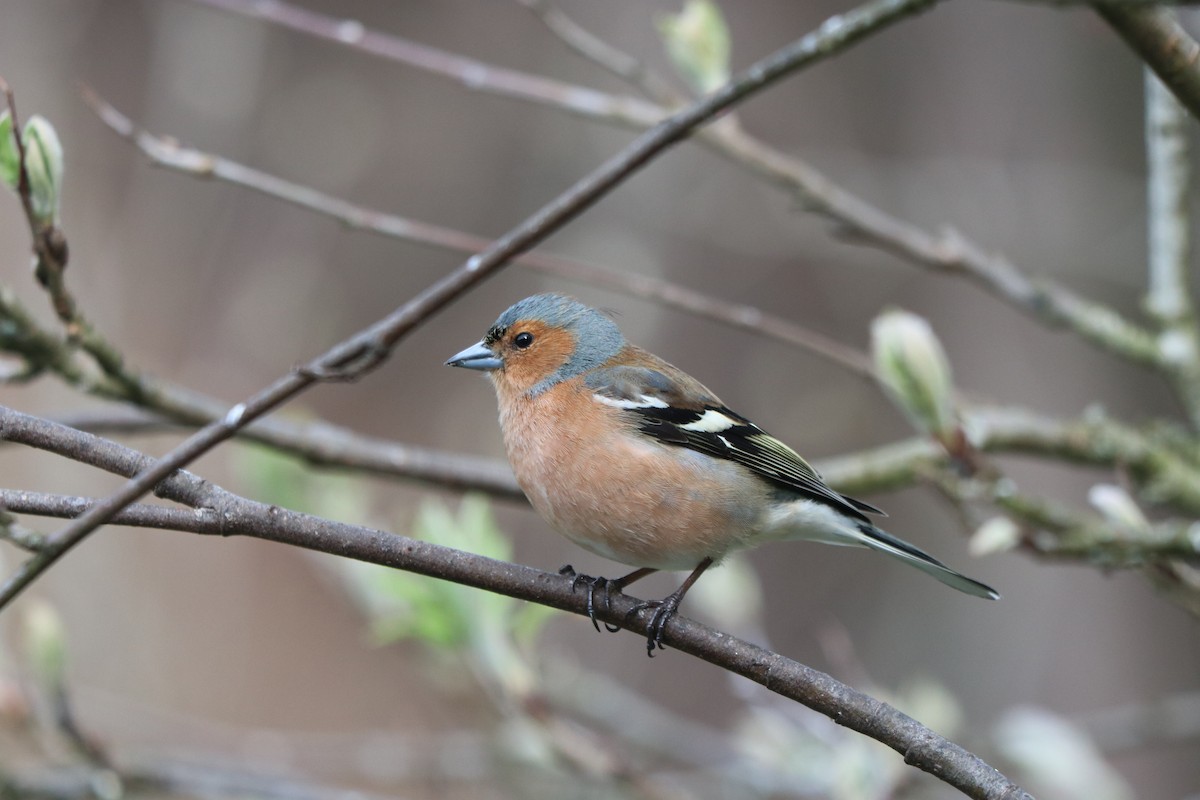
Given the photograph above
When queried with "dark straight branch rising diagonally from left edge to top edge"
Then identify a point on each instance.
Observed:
(367, 350)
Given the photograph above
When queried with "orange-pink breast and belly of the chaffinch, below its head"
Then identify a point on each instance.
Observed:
(623, 496)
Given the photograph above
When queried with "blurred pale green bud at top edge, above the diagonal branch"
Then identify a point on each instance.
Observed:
(698, 41)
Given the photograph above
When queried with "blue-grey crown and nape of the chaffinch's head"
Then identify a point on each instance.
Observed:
(597, 338)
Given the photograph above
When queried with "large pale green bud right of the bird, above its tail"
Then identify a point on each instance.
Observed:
(914, 369)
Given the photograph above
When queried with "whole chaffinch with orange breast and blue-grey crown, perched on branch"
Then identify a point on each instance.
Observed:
(637, 461)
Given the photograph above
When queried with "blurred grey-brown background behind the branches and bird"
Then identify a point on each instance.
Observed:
(1018, 124)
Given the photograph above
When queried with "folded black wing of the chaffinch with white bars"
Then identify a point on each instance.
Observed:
(671, 407)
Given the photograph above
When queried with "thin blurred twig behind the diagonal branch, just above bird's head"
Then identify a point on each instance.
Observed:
(166, 152)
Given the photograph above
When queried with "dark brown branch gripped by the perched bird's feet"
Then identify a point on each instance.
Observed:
(238, 516)
